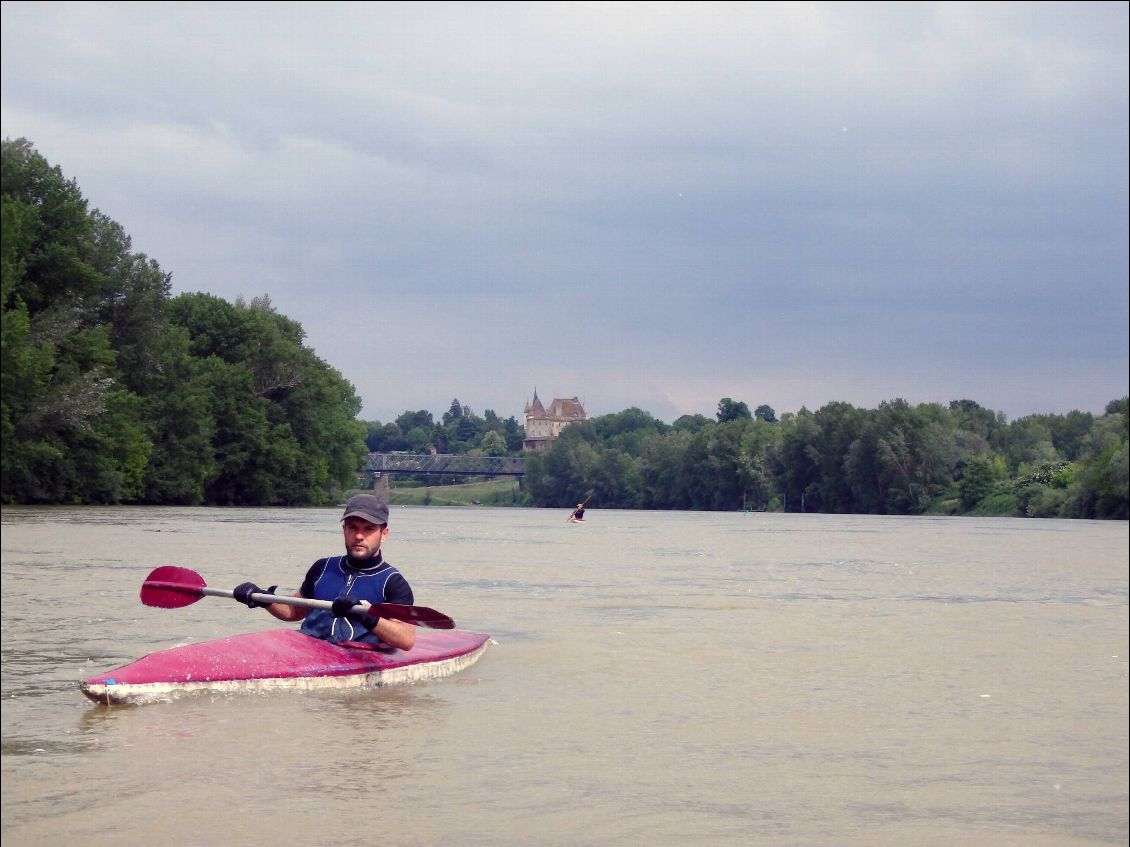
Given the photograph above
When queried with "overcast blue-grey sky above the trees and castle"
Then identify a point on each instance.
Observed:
(639, 205)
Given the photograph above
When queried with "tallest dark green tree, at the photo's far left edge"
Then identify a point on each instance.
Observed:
(67, 417)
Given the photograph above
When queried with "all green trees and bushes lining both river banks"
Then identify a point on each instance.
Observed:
(117, 392)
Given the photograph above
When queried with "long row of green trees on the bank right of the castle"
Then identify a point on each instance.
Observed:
(896, 460)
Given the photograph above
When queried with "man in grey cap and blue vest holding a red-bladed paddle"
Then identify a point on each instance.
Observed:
(362, 575)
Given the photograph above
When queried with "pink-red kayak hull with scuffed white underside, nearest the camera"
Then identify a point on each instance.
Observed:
(283, 659)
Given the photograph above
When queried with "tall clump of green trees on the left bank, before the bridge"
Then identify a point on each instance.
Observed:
(116, 392)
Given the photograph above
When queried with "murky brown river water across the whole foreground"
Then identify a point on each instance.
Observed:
(655, 679)
